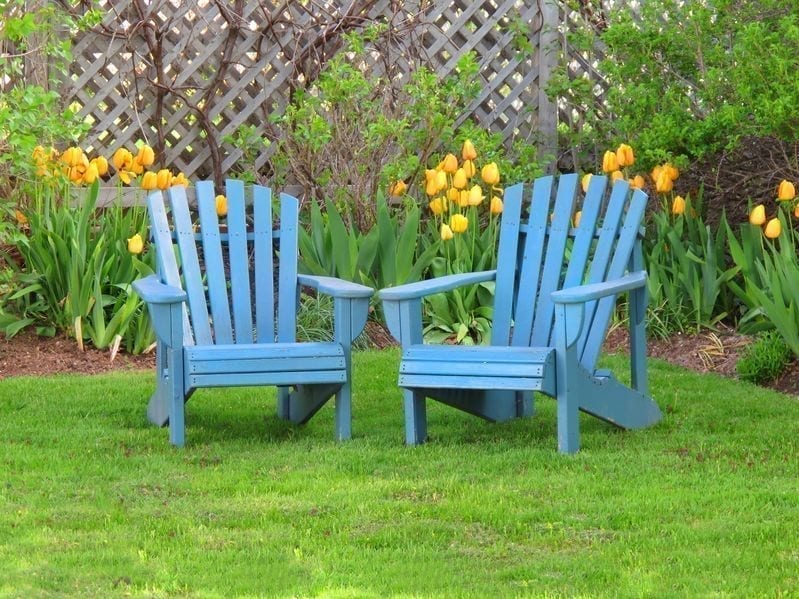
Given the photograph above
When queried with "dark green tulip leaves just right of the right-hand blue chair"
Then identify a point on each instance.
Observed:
(688, 270)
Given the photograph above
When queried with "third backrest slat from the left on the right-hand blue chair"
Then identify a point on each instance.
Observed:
(551, 277)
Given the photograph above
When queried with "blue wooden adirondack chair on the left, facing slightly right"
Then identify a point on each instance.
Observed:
(216, 326)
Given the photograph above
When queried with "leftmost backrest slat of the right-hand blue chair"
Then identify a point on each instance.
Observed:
(507, 254)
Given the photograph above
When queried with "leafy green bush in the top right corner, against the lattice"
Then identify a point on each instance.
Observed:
(688, 78)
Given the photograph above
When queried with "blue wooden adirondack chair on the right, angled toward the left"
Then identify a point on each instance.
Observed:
(555, 291)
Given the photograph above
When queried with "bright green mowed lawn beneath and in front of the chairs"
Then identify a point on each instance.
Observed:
(94, 501)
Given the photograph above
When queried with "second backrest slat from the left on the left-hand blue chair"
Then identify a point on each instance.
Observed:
(184, 237)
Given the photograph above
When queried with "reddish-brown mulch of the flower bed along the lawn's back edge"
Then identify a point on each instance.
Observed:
(28, 354)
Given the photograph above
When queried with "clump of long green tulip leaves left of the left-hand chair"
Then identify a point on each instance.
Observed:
(78, 272)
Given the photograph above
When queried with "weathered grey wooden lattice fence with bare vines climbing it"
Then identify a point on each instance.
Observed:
(184, 76)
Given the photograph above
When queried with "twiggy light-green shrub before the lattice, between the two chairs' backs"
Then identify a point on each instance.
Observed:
(351, 131)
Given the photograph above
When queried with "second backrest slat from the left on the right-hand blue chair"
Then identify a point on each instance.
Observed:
(532, 259)
